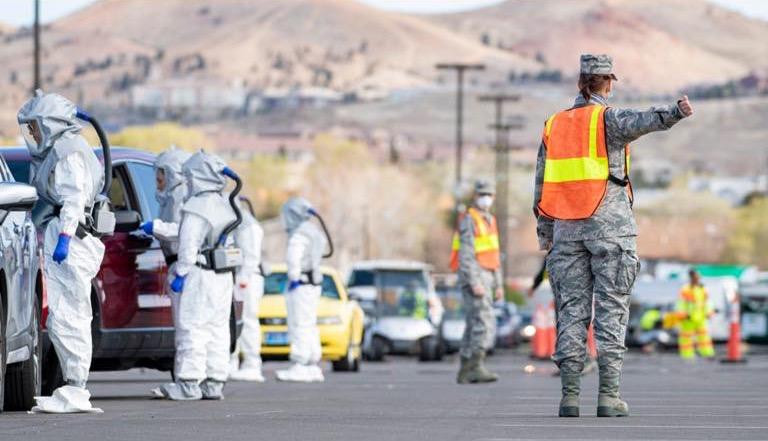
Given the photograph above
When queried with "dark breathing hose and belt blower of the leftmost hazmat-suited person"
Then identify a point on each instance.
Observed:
(101, 220)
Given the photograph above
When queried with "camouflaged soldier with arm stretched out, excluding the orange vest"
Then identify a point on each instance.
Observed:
(597, 256)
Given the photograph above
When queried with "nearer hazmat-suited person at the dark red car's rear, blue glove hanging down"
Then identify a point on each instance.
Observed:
(204, 296)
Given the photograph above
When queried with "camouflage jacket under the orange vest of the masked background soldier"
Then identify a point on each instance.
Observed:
(470, 272)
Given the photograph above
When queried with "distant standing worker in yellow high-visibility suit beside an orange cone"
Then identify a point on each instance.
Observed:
(694, 310)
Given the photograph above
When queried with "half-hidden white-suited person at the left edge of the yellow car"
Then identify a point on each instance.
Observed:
(249, 287)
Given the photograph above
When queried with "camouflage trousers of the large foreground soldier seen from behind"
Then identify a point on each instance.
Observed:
(602, 270)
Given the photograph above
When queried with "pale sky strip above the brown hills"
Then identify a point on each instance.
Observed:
(19, 12)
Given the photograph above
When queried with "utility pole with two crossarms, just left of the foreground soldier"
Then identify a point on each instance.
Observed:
(502, 149)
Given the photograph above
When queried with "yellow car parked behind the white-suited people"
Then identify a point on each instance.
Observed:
(340, 320)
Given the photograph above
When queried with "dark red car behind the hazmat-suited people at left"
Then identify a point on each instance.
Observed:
(132, 324)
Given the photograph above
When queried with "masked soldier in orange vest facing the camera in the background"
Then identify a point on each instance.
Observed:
(477, 258)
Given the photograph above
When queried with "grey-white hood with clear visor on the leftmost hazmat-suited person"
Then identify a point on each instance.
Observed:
(54, 116)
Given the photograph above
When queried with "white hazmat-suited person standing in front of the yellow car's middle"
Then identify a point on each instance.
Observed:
(306, 245)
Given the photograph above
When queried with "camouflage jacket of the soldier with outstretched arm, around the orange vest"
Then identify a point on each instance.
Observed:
(614, 216)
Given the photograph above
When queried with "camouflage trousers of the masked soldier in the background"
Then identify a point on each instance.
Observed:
(480, 330)
